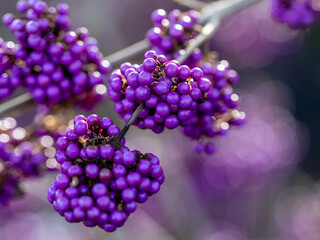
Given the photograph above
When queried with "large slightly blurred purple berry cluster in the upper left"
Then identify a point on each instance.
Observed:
(58, 63)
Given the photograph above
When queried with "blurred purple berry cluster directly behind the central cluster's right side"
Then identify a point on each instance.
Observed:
(217, 112)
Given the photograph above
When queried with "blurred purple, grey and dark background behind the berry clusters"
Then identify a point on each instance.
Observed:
(263, 181)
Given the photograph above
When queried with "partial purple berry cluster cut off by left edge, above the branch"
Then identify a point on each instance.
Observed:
(10, 72)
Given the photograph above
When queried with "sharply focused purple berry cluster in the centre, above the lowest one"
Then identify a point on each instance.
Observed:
(170, 92)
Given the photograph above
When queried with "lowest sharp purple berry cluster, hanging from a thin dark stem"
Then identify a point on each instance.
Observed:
(101, 180)
